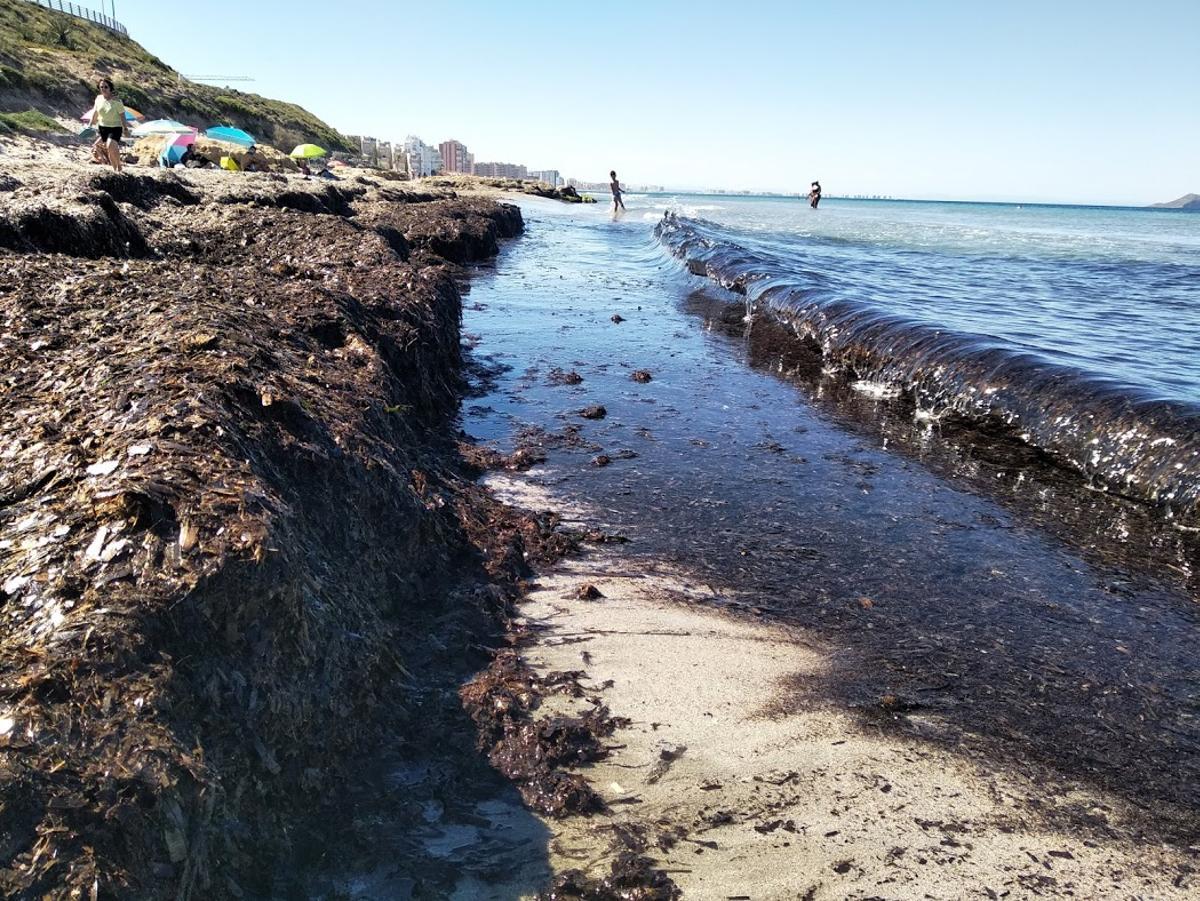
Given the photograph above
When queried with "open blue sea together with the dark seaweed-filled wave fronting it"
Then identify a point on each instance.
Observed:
(1077, 328)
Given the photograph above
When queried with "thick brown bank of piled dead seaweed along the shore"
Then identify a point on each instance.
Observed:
(231, 504)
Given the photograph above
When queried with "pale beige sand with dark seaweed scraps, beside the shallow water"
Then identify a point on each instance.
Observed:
(782, 797)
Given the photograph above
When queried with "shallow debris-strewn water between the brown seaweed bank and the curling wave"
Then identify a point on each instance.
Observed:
(1030, 621)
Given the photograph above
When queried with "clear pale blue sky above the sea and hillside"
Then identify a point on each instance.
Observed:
(1057, 100)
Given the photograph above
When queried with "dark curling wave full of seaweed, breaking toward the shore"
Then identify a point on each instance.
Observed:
(1118, 437)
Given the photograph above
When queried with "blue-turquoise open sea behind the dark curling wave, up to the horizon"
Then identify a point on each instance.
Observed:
(1114, 292)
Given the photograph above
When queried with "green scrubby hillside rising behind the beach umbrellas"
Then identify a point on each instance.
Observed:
(50, 64)
